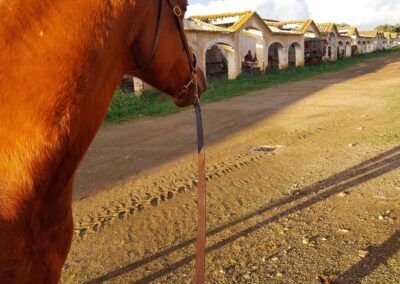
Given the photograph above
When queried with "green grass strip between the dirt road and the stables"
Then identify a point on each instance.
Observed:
(152, 103)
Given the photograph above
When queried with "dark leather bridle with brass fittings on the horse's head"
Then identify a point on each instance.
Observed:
(178, 13)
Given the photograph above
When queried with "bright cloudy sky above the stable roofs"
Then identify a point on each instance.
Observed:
(364, 14)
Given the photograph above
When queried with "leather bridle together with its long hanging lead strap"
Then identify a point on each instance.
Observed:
(192, 83)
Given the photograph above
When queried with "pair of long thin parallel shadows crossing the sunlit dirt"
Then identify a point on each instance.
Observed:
(318, 192)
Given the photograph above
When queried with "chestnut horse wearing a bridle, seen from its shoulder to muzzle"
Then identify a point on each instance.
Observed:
(60, 63)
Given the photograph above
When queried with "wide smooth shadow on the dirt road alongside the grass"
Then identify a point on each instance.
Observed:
(141, 145)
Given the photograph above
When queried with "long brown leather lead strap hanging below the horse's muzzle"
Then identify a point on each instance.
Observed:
(201, 230)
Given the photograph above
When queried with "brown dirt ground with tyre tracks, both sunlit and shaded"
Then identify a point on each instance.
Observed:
(324, 208)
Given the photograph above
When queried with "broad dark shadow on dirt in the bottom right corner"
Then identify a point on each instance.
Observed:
(378, 255)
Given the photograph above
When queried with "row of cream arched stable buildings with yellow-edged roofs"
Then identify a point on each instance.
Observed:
(232, 43)
